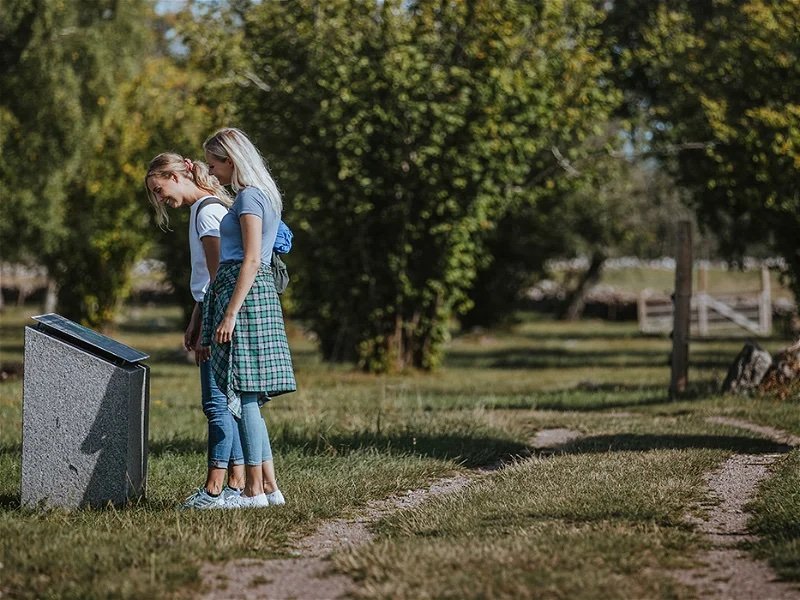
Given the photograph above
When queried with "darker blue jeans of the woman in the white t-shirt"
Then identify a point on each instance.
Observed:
(224, 444)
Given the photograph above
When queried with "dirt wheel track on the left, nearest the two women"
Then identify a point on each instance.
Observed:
(308, 575)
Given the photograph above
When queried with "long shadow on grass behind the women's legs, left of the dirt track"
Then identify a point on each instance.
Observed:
(470, 451)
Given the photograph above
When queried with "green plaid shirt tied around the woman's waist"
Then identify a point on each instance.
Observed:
(257, 358)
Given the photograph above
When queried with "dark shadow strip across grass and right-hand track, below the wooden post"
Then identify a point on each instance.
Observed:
(626, 442)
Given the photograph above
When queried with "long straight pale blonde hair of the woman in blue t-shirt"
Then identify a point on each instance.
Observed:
(249, 167)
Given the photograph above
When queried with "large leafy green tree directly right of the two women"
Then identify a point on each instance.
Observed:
(401, 133)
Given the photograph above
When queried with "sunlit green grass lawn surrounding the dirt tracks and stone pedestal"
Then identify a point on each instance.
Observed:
(604, 519)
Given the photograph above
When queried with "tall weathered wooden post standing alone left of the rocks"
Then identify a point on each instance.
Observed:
(682, 300)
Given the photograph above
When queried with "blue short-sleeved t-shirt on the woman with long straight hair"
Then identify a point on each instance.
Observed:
(249, 201)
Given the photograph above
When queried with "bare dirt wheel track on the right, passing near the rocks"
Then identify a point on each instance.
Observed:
(728, 572)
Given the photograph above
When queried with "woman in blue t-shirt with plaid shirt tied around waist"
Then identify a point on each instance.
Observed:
(242, 317)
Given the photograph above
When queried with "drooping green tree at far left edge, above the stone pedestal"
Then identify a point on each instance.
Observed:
(58, 71)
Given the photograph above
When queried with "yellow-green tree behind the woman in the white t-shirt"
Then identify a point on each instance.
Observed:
(108, 218)
